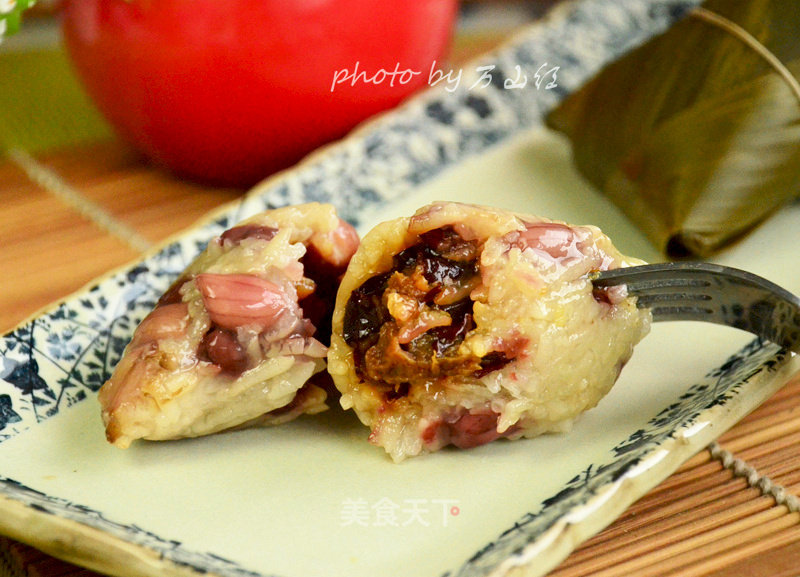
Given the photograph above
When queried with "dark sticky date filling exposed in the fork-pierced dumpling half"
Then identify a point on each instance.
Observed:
(405, 326)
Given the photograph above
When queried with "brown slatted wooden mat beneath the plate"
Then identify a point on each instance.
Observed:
(72, 214)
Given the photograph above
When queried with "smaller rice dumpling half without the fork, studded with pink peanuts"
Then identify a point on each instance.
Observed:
(240, 338)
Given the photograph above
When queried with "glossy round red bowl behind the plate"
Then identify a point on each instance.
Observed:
(228, 92)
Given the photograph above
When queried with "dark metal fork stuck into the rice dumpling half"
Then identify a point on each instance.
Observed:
(699, 291)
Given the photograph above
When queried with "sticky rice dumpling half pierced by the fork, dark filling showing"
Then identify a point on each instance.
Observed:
(465, 324)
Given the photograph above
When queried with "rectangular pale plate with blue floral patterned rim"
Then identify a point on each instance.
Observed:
(312, 498)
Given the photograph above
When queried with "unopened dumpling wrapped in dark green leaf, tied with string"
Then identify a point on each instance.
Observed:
(696, 134)
